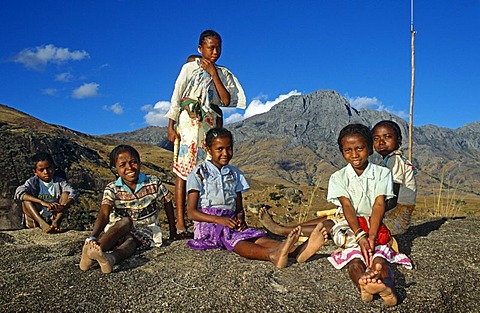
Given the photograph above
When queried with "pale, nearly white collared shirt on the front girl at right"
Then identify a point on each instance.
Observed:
(360, 190)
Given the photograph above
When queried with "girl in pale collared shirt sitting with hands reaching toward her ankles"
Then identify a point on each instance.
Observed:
(360, 190)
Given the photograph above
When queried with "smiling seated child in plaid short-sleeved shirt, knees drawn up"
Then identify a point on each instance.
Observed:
(129, 213)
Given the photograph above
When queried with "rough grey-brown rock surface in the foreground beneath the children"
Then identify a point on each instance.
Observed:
(39, 273)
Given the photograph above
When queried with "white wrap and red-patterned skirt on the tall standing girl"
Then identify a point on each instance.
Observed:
(195, 83)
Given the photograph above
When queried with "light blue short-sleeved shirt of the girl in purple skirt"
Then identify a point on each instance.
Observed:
(218, 187)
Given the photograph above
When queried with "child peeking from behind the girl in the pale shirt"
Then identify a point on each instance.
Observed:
(387, 139)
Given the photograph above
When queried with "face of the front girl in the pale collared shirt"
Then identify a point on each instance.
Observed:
(355, 152)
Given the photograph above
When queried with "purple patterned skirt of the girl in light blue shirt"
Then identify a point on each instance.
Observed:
(217, 236)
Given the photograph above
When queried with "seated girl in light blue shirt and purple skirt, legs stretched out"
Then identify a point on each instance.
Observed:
(215, 204)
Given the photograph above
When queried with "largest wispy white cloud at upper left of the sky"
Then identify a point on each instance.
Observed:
(37, 58)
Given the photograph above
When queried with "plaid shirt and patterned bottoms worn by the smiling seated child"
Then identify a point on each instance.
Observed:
(142, 206)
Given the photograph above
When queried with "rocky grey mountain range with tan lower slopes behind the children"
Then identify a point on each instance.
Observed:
(296, 143)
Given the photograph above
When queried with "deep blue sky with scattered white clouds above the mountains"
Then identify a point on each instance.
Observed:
(104, 67)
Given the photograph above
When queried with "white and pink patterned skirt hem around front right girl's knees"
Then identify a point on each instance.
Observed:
(341, 258)
